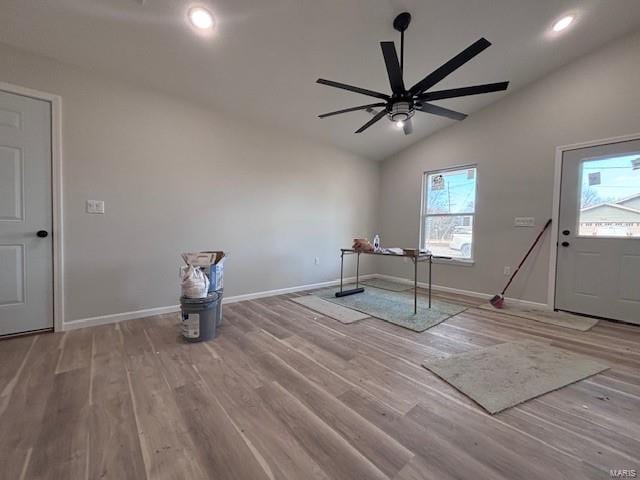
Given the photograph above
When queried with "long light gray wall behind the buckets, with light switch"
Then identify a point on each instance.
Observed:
(178, 177)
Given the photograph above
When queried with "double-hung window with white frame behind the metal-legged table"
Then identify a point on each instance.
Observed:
(448, 212)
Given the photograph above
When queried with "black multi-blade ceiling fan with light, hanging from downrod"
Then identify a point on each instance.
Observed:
(403, 102)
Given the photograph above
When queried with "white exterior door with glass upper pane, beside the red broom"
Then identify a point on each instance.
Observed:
(598, 266)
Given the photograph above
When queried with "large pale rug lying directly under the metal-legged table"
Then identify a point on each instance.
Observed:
(394, 307)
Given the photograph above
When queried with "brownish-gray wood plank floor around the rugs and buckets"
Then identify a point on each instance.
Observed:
(285, 393)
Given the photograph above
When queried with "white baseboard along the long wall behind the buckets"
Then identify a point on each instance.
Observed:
(150, 312)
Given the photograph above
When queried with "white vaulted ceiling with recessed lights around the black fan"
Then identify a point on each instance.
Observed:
(263, 60)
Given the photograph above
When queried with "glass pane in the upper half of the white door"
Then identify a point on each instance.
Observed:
(610, 197)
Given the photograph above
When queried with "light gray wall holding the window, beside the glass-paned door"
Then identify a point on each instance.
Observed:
(513, 142)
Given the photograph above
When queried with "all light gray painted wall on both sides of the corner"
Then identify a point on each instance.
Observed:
(177, 176)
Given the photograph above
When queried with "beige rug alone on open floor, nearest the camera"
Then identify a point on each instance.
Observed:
(505, 375)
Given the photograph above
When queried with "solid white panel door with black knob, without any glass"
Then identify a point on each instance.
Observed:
(26, 259)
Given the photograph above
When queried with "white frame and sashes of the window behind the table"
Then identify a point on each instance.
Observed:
(424, 214)
